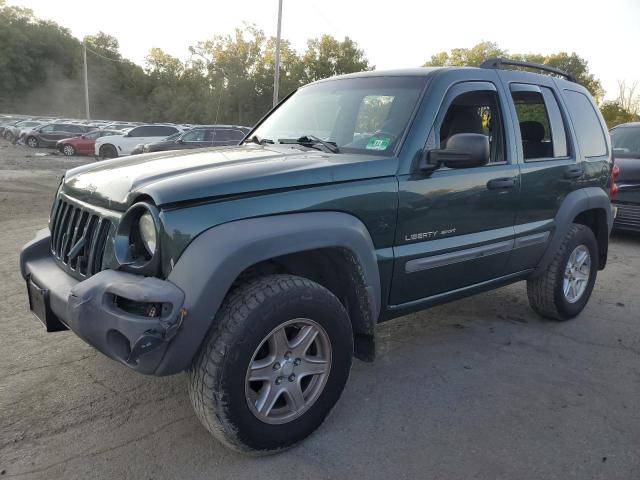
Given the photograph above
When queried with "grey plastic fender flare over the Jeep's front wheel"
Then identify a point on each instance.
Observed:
(214, 259)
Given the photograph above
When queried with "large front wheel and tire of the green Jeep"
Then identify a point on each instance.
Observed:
(224, 399)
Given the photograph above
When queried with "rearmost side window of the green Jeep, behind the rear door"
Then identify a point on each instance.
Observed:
(588, 128)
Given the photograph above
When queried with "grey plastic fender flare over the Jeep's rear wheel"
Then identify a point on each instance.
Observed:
(574, 203)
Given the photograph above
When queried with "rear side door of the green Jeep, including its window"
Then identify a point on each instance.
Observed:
(550, 163)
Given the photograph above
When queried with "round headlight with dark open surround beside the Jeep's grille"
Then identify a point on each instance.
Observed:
(136, 243)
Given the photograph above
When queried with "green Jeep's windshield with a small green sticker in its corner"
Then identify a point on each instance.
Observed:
(357, 115)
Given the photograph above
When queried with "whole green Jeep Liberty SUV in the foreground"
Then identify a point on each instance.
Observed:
(262, 269)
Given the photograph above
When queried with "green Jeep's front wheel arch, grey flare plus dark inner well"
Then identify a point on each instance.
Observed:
(321, 246)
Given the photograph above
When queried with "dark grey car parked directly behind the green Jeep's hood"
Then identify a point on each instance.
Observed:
(199, 137)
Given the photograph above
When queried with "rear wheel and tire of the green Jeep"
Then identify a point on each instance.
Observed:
(547, 293)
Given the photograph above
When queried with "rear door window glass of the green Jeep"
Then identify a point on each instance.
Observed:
(541, 124)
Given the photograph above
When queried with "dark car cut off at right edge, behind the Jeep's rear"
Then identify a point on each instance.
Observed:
(625, 139)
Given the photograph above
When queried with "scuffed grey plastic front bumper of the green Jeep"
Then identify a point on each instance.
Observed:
(128, 317)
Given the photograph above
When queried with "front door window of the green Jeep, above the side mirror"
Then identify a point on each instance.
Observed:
(477, 111)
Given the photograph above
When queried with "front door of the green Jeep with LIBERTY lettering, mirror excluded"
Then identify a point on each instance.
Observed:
(456, 226)
